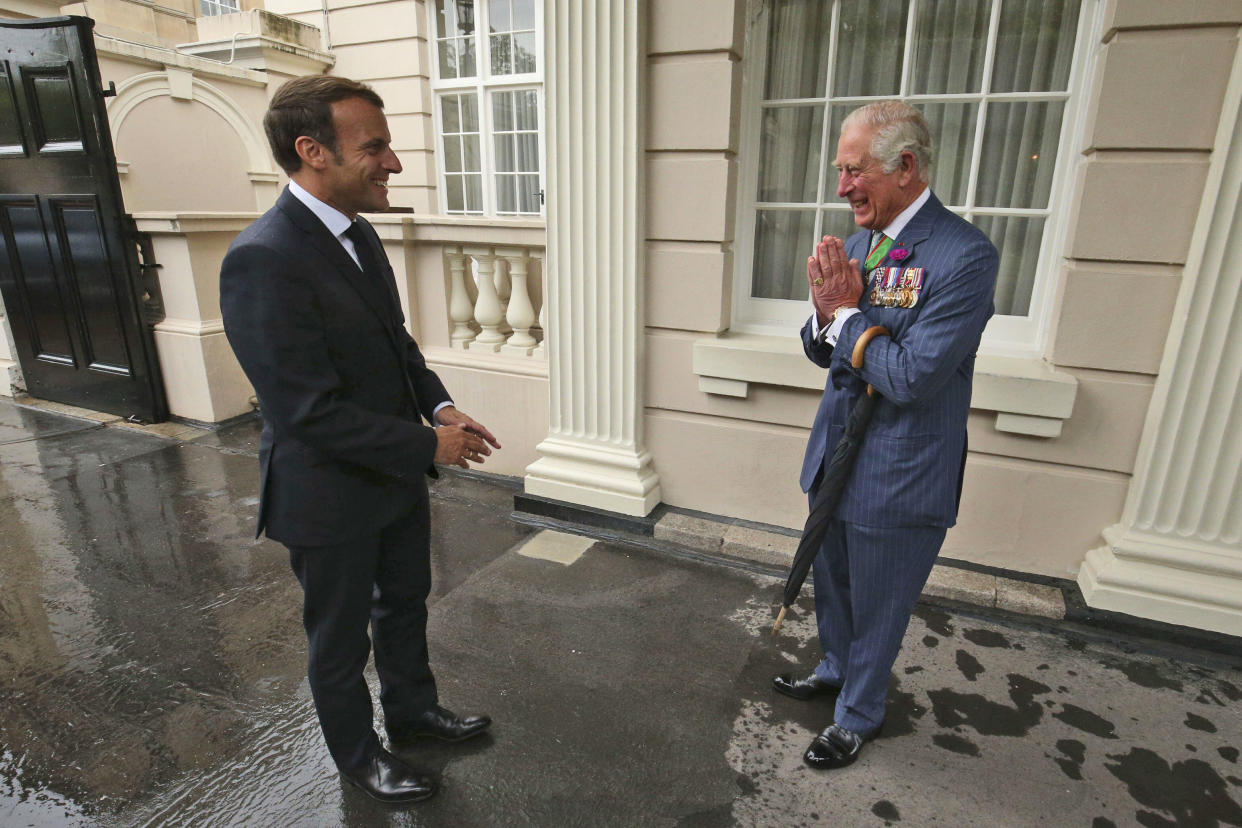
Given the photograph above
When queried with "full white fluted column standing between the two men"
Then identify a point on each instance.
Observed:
(594, 454)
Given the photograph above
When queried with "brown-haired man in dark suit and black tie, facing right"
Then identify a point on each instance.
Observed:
(311, 310)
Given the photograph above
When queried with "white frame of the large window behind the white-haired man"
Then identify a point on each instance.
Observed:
(1005, 336)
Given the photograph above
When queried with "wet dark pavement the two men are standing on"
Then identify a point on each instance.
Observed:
(152, 675)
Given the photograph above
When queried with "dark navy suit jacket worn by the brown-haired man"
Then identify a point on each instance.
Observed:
(341, 383)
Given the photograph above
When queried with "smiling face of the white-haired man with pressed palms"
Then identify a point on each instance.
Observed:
(875, 197)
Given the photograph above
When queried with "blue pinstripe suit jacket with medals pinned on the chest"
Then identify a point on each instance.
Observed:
(910, 467)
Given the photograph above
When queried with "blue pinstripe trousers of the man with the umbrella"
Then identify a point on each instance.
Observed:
(868, 580)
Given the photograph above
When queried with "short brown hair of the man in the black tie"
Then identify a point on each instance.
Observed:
(304, 107)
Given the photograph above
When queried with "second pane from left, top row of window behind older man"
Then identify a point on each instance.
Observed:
(871, 43)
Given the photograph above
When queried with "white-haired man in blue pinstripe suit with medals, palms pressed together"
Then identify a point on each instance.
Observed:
(928, 277)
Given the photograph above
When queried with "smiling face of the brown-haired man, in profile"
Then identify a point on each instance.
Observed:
(355, 179)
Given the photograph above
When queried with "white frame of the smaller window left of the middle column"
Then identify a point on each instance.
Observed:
(484, 86)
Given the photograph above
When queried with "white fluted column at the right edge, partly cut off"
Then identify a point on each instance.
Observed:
(1177, 556)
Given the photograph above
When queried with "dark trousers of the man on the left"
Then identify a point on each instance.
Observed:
(379, 582)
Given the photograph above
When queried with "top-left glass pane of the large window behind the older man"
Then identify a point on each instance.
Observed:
(798, 50)
